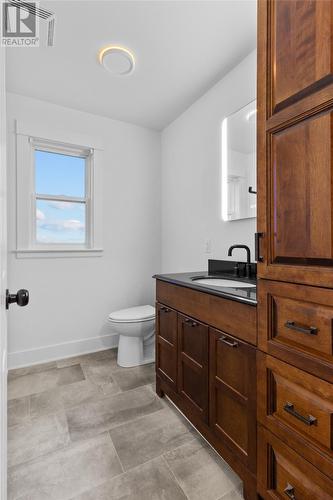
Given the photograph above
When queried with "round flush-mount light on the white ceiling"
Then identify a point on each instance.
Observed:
(117, 60)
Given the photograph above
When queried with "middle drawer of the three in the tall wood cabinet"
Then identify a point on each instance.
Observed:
(296, 406)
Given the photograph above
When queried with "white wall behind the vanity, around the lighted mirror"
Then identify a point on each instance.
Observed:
(191, 177)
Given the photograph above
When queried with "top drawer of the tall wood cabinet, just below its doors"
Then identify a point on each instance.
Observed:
(295, 324)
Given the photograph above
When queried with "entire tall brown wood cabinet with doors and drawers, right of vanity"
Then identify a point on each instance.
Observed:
(295, 249)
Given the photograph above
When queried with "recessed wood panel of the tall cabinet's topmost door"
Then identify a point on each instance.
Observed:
(301, 49)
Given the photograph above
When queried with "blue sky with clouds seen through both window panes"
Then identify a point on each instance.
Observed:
(60, 175)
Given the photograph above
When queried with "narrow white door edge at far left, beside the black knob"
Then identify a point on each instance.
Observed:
(3, 283)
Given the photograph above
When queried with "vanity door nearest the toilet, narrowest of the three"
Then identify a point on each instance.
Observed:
(166, 345)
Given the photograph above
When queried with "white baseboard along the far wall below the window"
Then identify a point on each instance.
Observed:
(20, 359)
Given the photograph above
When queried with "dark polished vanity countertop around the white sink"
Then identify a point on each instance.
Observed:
(245, 295)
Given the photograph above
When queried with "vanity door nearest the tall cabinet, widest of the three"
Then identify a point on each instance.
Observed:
(232, 379)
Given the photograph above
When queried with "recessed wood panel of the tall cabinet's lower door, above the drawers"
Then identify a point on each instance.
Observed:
(302, 193)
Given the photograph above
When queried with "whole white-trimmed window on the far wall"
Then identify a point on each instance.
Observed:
(58, 198)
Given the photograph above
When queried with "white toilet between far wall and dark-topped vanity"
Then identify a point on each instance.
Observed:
(136, 329)
